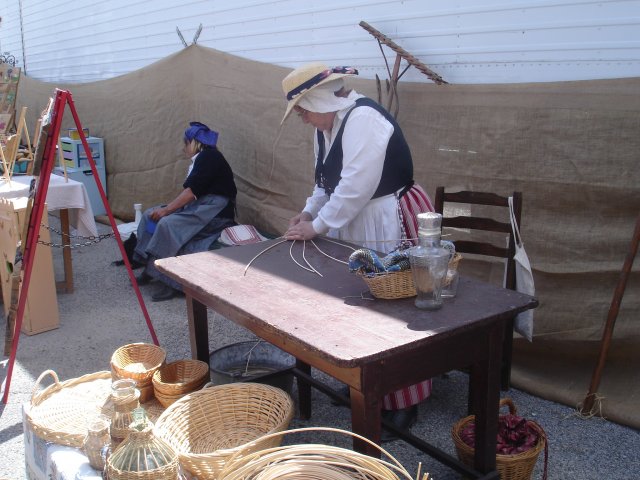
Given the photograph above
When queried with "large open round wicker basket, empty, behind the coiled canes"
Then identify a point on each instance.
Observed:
(206, 427)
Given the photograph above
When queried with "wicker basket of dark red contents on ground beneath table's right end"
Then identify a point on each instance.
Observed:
(511, 467)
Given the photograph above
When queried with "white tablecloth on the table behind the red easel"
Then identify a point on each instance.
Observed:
(61, 194)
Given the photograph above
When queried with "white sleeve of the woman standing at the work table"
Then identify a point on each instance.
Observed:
(364, 145)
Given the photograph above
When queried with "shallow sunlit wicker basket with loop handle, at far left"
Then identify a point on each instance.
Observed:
(62, 412)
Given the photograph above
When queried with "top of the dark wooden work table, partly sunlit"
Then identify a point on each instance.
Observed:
(332, 314)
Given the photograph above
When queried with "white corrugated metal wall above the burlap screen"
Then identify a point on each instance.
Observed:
(466, 41)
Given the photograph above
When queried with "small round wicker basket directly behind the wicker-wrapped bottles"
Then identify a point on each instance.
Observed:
(137, 361)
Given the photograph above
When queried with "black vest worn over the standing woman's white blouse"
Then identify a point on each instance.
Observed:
(397, 171)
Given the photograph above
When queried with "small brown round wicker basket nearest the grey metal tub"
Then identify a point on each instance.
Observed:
(180, 377)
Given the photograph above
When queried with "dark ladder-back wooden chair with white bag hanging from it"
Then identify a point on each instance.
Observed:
(477, 241)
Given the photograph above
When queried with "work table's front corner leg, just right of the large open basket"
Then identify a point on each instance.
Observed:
(366, 421)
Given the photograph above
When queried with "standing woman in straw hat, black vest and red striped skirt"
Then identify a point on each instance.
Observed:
(363, 165)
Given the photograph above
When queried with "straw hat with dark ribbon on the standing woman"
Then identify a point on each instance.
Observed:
(304, 79)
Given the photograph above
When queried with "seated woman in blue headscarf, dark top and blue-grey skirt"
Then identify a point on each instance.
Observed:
(193, 220)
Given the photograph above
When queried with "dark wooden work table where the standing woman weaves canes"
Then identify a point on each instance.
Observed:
(374, 346)
